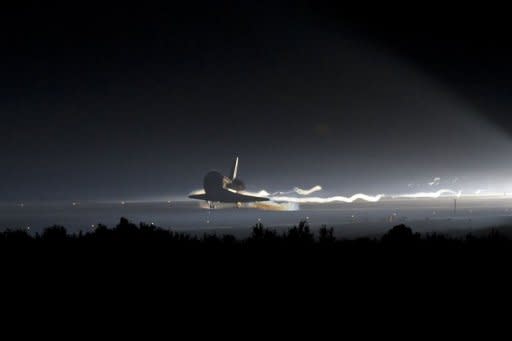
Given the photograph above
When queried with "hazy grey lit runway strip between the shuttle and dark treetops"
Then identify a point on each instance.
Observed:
(349, 220)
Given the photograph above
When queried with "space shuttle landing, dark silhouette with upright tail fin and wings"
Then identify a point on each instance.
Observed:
(225, 189)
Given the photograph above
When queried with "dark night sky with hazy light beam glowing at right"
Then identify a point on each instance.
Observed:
(140, 101)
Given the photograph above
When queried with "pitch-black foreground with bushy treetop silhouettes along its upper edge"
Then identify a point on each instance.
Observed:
(132, 266)
